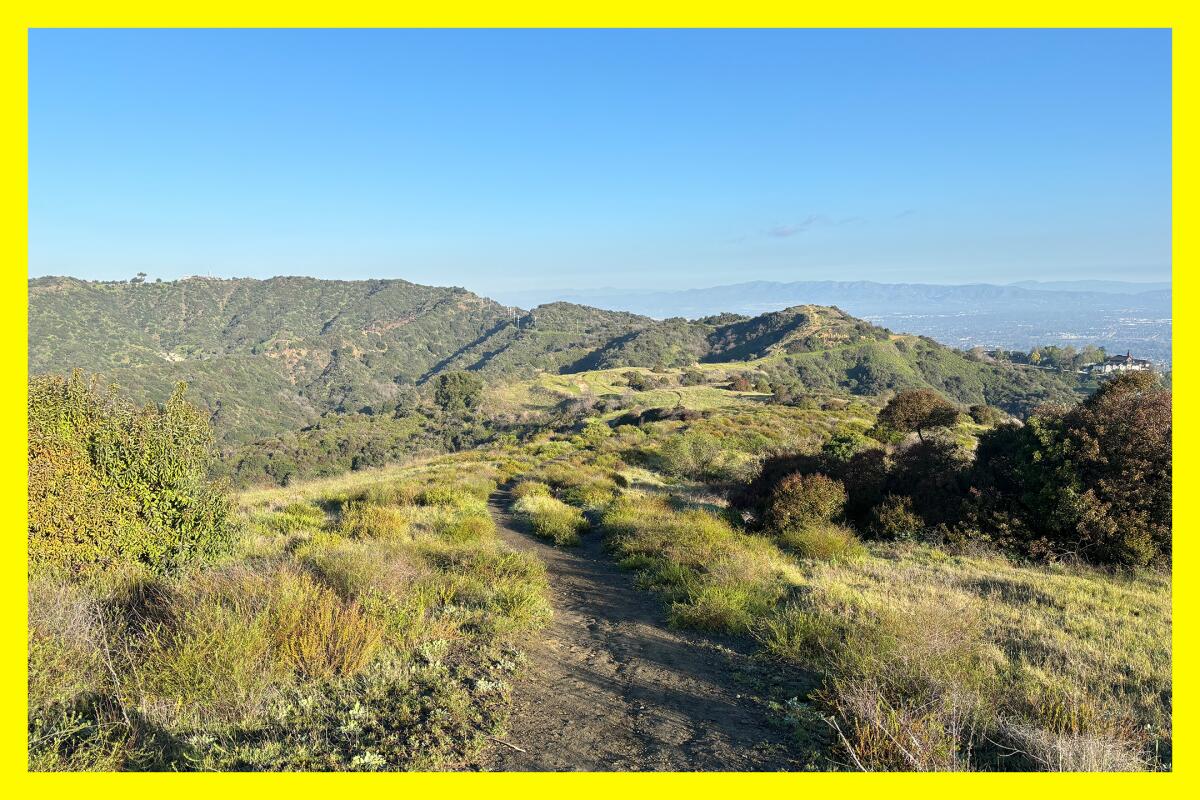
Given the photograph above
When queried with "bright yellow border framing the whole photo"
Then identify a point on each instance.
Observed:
(547, 15)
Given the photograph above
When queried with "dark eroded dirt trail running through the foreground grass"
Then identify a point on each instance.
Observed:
(610, 687)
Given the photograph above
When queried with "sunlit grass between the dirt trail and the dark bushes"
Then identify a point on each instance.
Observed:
(931, 661)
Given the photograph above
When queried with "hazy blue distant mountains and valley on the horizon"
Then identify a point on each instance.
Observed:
(1118, 316)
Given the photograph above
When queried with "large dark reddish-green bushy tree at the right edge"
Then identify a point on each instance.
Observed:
(1091, 482)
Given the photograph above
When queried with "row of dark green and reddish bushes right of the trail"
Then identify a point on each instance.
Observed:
(1090, 482)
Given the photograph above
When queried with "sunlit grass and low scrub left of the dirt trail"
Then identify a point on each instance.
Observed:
(361, 625)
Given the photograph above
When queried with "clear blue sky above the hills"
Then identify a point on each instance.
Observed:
(591, 159)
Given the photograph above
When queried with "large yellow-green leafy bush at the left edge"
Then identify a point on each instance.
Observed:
(112, 484)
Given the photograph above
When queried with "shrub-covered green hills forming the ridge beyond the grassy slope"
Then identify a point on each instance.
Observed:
(268, 357)
